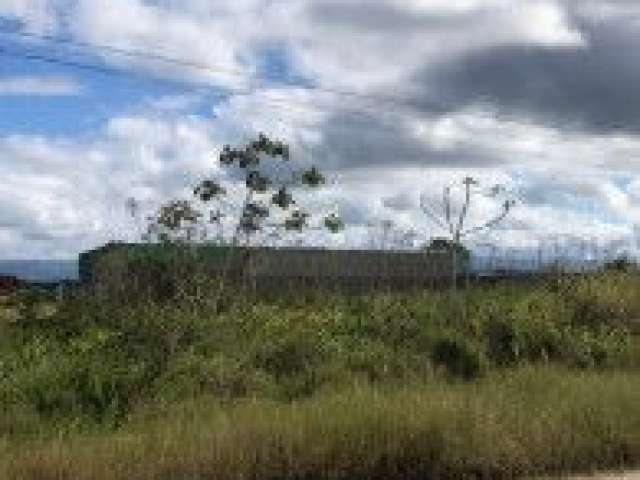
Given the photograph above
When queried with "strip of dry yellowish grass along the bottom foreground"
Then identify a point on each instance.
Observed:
(524, 422)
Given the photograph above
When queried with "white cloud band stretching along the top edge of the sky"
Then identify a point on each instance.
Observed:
(344, 50)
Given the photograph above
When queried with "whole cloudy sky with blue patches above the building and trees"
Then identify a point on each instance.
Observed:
(101, 100)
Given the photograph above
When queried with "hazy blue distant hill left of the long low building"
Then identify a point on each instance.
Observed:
(40, 270)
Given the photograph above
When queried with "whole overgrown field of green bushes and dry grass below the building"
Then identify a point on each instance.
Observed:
(497, 382)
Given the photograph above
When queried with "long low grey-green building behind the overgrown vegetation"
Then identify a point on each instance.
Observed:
(266, 267)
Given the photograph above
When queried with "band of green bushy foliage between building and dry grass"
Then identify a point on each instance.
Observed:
(98, 357)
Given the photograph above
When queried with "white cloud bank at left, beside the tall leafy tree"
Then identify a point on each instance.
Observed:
(79, 201)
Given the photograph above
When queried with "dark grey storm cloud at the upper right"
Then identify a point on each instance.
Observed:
(591, 89)
